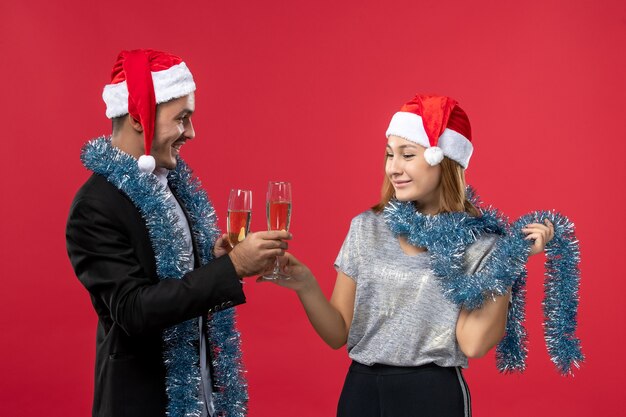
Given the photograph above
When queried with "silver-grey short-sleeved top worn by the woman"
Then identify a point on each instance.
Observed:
(401, 317)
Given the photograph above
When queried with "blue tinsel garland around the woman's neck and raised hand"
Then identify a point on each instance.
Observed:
(447, 235)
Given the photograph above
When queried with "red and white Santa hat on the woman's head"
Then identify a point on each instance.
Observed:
(436, 123)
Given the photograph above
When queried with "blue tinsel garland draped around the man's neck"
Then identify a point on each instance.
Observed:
(181, 356)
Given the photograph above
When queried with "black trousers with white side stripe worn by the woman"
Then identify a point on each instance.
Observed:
(392, 391)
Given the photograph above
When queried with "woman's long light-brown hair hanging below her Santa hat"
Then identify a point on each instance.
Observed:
(452, 190)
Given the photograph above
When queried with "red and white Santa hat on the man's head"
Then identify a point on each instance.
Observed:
(140, 80)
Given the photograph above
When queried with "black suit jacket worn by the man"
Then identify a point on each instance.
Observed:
(110, 250)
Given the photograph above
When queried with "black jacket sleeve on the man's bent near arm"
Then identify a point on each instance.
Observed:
(107, 264)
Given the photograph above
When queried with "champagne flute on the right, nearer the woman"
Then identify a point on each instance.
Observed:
(278, 216)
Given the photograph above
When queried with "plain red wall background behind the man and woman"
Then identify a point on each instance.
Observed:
(303, 91)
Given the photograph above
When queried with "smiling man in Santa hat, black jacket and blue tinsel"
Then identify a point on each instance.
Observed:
(142, 239)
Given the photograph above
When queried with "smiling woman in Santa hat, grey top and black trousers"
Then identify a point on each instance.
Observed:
(407, 340)
